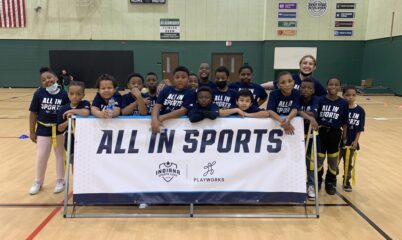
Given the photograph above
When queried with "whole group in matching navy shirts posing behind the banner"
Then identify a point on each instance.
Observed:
(338, 121)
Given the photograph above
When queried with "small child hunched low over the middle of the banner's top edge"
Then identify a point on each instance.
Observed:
(204, 108)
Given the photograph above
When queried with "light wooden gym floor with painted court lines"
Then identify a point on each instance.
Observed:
(372, 211)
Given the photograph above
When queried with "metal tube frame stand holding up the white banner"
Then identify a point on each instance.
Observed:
(191, 213)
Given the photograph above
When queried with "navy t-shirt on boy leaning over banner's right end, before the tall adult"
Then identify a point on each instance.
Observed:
(281, 104)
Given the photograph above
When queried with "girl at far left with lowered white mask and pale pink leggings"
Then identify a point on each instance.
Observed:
(44, 107)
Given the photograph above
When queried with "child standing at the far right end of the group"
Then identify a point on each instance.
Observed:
(356, 120)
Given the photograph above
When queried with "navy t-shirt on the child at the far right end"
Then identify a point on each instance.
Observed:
(356, 121)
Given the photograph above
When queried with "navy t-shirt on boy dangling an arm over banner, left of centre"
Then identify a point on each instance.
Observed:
(172, 99)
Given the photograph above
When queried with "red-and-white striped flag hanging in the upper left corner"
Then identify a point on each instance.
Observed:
(12, 14)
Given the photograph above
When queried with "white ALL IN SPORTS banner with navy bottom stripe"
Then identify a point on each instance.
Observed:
(227, 160)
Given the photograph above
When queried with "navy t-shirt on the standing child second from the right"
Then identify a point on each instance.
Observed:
(332, 114)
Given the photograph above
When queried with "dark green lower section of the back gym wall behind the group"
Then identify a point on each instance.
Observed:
(21, 59)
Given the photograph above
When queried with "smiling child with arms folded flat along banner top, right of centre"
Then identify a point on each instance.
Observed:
(245, 107)
